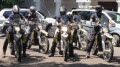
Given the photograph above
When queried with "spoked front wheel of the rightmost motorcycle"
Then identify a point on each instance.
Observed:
(108, 51)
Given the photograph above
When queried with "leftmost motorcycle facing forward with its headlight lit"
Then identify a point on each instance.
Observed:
(17, 45)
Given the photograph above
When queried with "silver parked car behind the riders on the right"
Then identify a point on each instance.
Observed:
(108, 17)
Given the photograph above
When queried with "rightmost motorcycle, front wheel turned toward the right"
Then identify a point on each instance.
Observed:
(107, 46)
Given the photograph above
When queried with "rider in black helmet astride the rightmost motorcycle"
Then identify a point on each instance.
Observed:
(96, 17)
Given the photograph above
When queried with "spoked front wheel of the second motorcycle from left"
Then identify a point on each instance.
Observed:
(44, 45)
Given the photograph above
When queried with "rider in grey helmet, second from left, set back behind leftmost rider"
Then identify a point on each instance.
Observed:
(31, 15)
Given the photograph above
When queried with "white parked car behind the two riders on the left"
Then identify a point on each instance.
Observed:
(46, 21)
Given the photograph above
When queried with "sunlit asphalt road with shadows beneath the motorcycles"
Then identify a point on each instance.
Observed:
(36, 59)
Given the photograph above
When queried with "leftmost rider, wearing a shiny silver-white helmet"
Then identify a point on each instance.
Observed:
(10, 31)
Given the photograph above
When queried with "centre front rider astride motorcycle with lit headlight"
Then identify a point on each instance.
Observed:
(62, 19)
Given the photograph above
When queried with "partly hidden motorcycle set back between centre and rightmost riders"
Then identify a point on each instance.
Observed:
(80, 36)
